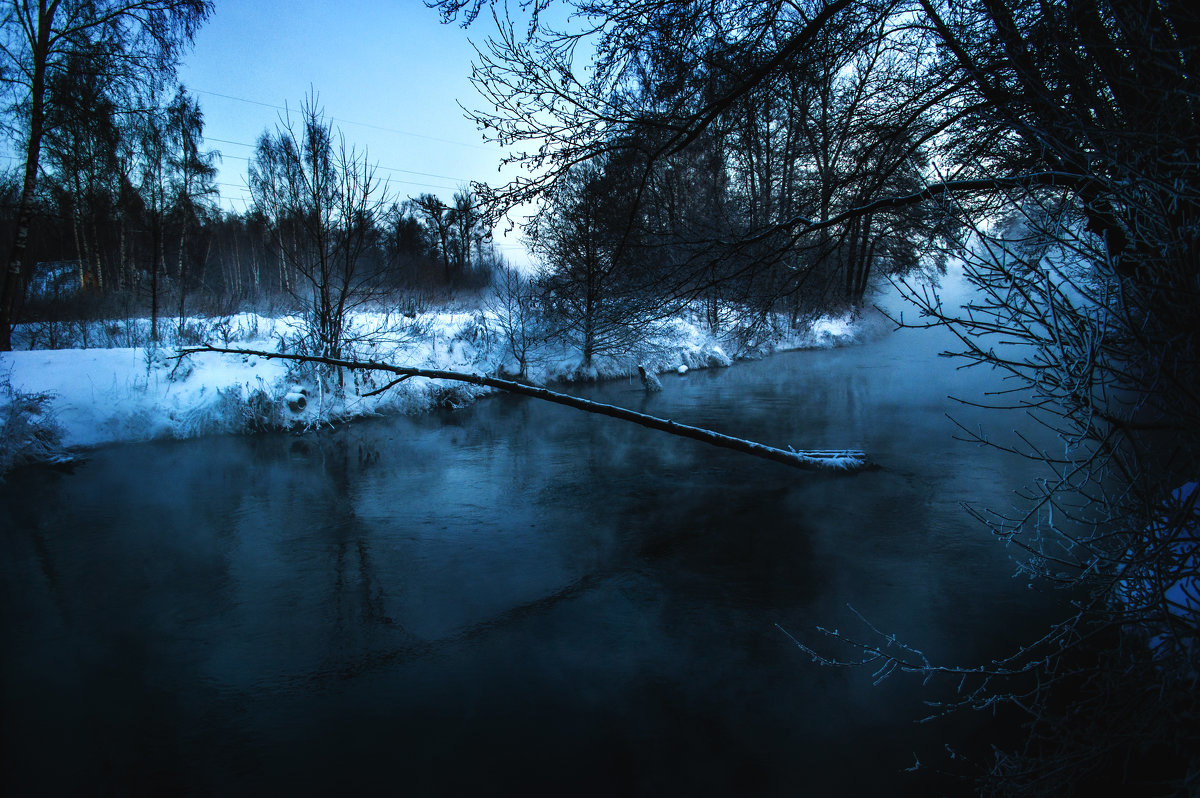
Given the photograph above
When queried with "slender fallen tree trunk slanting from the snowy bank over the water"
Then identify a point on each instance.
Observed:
(841, 460)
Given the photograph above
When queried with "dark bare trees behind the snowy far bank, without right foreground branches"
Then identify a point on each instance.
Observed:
(119, 217)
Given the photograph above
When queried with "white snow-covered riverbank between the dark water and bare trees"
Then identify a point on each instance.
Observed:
(94, 397)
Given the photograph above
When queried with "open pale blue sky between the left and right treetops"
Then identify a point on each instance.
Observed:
(388, 71)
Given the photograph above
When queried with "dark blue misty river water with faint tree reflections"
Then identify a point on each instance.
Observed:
(511, 599)
